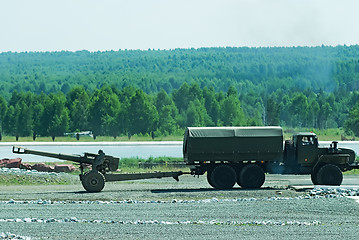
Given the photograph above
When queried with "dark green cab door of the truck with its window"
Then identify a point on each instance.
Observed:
(307, 149)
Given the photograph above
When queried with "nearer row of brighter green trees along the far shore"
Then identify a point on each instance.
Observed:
(109, 111)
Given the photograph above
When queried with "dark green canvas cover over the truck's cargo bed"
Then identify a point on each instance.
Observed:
(232, 144)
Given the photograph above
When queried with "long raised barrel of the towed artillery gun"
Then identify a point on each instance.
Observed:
(68, 157)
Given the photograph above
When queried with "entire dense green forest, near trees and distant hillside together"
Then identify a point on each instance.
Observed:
(163, 91)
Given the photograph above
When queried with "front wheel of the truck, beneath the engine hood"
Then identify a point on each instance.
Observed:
(330, 174)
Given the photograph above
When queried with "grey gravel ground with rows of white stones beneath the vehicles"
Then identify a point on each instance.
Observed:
(189, 209)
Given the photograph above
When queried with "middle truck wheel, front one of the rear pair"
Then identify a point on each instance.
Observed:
(251, 176)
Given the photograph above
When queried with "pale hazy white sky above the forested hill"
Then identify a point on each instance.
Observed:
(55, 25)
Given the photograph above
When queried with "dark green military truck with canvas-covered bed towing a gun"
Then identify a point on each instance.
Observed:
(243, 155)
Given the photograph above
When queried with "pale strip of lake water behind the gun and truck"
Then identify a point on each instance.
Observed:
(118, 149)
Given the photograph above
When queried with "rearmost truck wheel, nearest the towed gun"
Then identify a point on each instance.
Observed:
(223, 177)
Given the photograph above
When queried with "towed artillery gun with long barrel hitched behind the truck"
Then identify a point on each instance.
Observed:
(101, 167)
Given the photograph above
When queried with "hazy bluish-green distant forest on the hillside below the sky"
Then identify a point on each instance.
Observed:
(246, 69)
